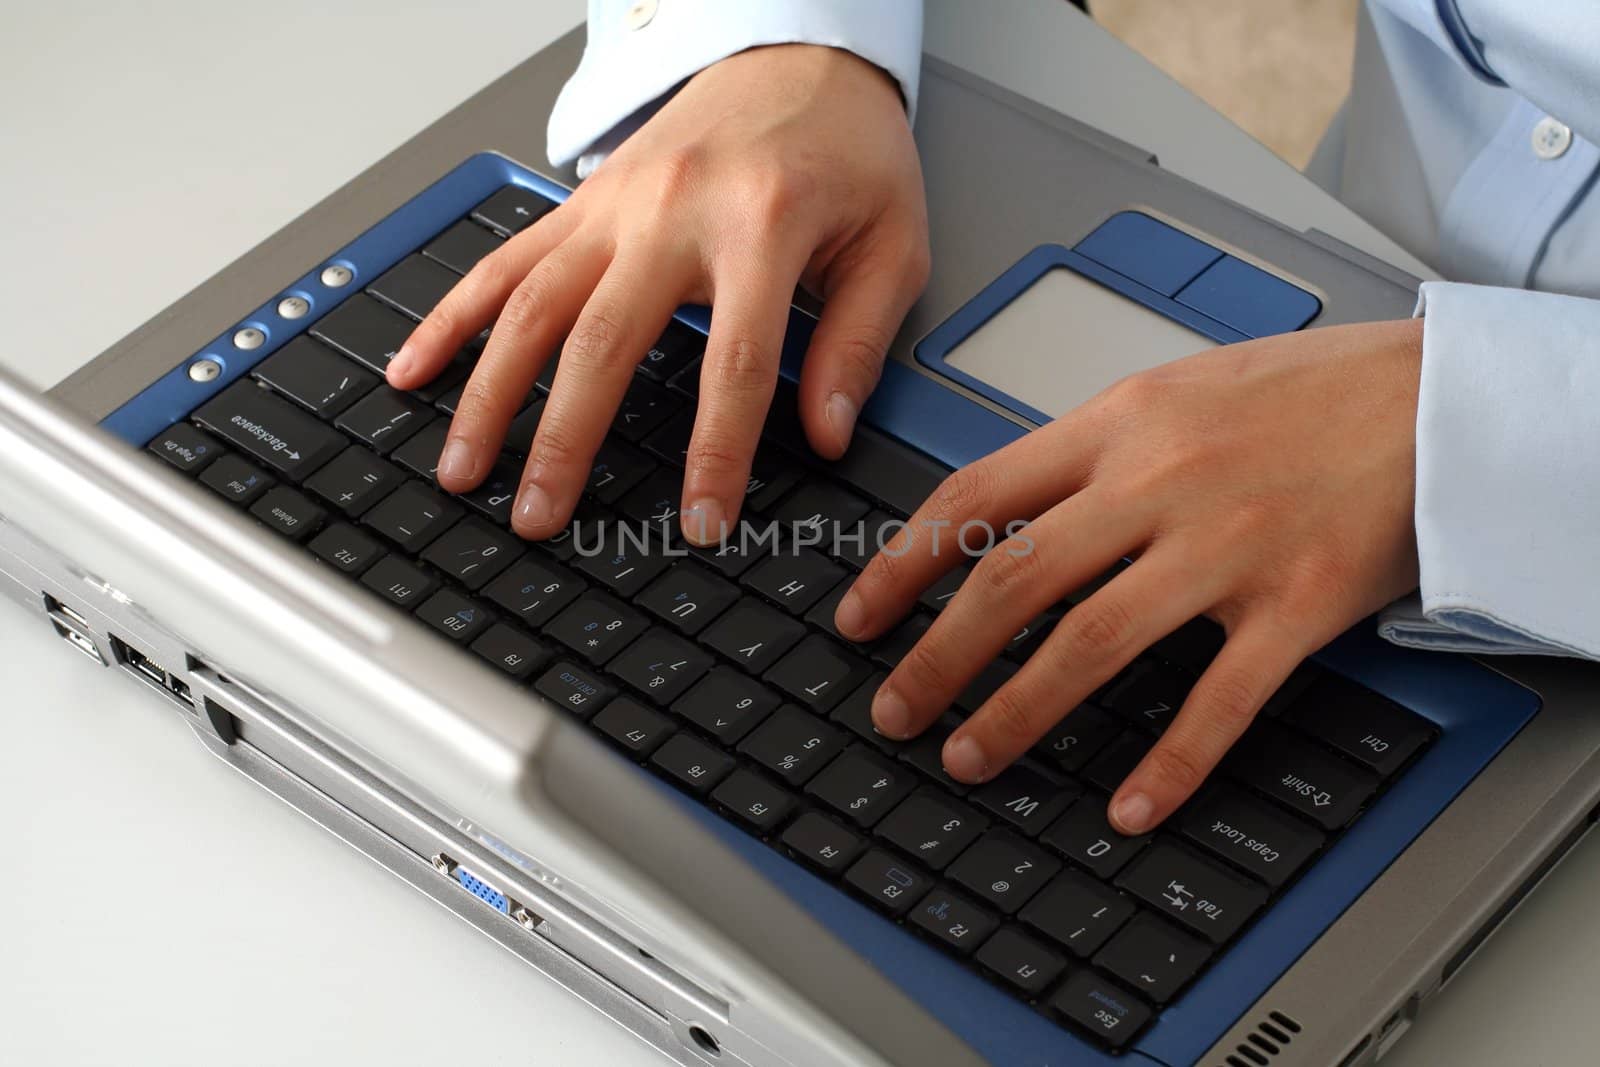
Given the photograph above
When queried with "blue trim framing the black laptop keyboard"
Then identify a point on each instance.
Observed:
(1476, 709)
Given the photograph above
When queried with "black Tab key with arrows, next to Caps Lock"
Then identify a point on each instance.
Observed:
(1201, 895)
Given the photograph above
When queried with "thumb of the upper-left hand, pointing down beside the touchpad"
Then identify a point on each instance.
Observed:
(862, 314)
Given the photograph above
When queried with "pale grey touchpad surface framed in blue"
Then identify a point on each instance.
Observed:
(1066, 338)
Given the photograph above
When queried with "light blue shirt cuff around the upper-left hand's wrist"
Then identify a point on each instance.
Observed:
(641, 50)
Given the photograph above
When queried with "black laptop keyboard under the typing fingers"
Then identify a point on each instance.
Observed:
(721, 671)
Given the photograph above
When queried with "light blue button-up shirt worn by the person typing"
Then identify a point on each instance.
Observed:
(1471, 138)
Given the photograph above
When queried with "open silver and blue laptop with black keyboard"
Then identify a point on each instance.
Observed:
(649, 770)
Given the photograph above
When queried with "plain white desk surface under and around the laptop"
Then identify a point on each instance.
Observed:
(161, 911)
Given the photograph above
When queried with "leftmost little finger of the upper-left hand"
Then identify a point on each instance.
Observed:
(474, 302)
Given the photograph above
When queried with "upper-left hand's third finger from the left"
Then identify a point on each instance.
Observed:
(628, 311)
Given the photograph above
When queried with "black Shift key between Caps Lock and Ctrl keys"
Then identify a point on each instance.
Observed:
(1305, 778)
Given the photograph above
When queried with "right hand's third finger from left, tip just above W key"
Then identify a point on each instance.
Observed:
(1162, 591)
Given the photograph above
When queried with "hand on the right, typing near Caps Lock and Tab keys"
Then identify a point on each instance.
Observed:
(1268, 486)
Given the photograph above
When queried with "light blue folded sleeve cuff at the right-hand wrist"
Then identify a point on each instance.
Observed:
(1508, 486)
